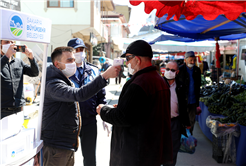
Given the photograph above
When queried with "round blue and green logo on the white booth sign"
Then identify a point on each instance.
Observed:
(16, 26)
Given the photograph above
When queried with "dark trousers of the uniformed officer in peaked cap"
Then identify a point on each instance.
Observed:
(88, 138)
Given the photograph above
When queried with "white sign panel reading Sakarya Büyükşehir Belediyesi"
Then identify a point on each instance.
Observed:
(19, 26)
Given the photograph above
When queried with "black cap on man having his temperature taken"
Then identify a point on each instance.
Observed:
(139, 48)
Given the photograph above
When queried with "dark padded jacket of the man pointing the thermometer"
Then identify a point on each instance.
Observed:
(61, 119)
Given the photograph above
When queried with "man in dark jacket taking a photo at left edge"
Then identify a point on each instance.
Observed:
(11, 77)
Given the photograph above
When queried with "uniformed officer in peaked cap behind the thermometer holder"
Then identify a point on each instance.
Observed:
(85, 73)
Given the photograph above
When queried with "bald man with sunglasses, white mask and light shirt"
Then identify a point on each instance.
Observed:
(179, 114)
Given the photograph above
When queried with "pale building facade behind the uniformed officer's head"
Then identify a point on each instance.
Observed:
(70, 19)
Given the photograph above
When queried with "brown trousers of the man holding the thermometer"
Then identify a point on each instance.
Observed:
(55, 156)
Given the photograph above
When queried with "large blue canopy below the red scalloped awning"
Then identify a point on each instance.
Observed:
(201, 29)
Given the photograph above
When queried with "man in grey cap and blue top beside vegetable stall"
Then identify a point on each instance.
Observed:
(190, 75)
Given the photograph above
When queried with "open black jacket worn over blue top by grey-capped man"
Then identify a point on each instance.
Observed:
(183, 76)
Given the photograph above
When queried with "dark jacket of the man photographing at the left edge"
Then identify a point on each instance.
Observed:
(11, 80)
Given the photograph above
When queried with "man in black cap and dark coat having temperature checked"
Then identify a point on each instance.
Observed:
(141, 133)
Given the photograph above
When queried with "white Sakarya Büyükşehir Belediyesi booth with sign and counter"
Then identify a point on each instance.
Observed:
(19, 146)
